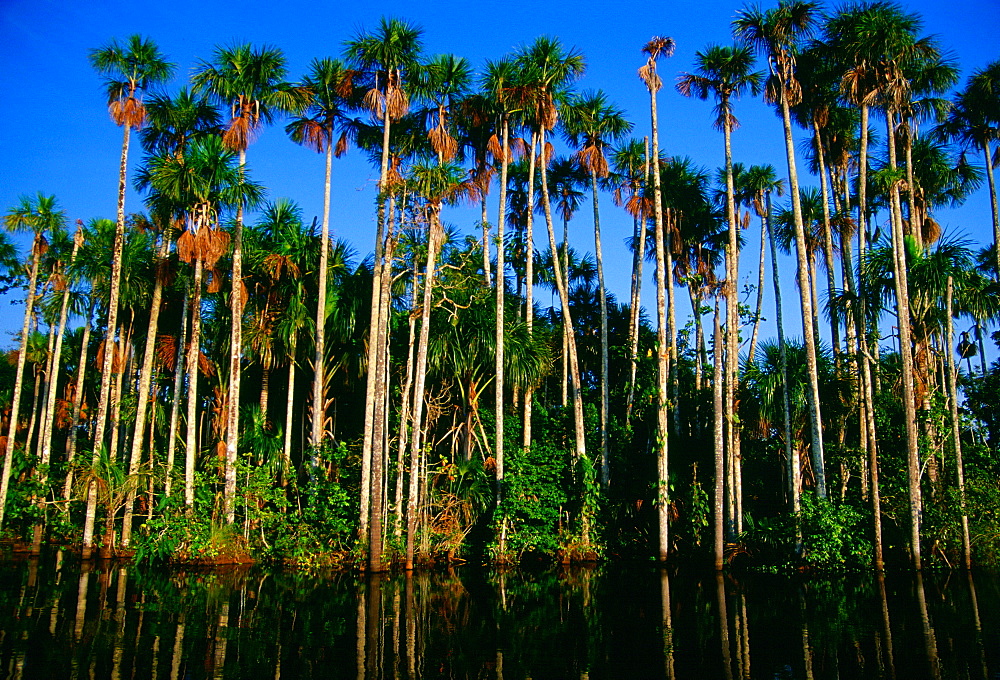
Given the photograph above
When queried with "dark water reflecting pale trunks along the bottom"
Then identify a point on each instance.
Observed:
(110, 621)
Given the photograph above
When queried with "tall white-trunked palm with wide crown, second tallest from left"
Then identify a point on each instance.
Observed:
(252, 83)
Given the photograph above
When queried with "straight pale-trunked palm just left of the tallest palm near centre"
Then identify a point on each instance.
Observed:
(331, 86)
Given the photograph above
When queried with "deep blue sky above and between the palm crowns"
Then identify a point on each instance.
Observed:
(56, 136)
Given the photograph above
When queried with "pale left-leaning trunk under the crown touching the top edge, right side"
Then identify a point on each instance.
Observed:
(808, 330)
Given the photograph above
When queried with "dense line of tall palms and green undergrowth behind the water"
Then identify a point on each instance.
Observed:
(210, 377)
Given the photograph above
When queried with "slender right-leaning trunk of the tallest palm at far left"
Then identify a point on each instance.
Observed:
(112, 325)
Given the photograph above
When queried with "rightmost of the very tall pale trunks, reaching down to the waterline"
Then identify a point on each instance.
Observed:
(906, 354)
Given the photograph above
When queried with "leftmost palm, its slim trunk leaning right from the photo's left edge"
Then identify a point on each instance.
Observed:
(40, 215)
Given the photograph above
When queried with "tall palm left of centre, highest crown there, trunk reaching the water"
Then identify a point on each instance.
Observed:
(387, 55)
